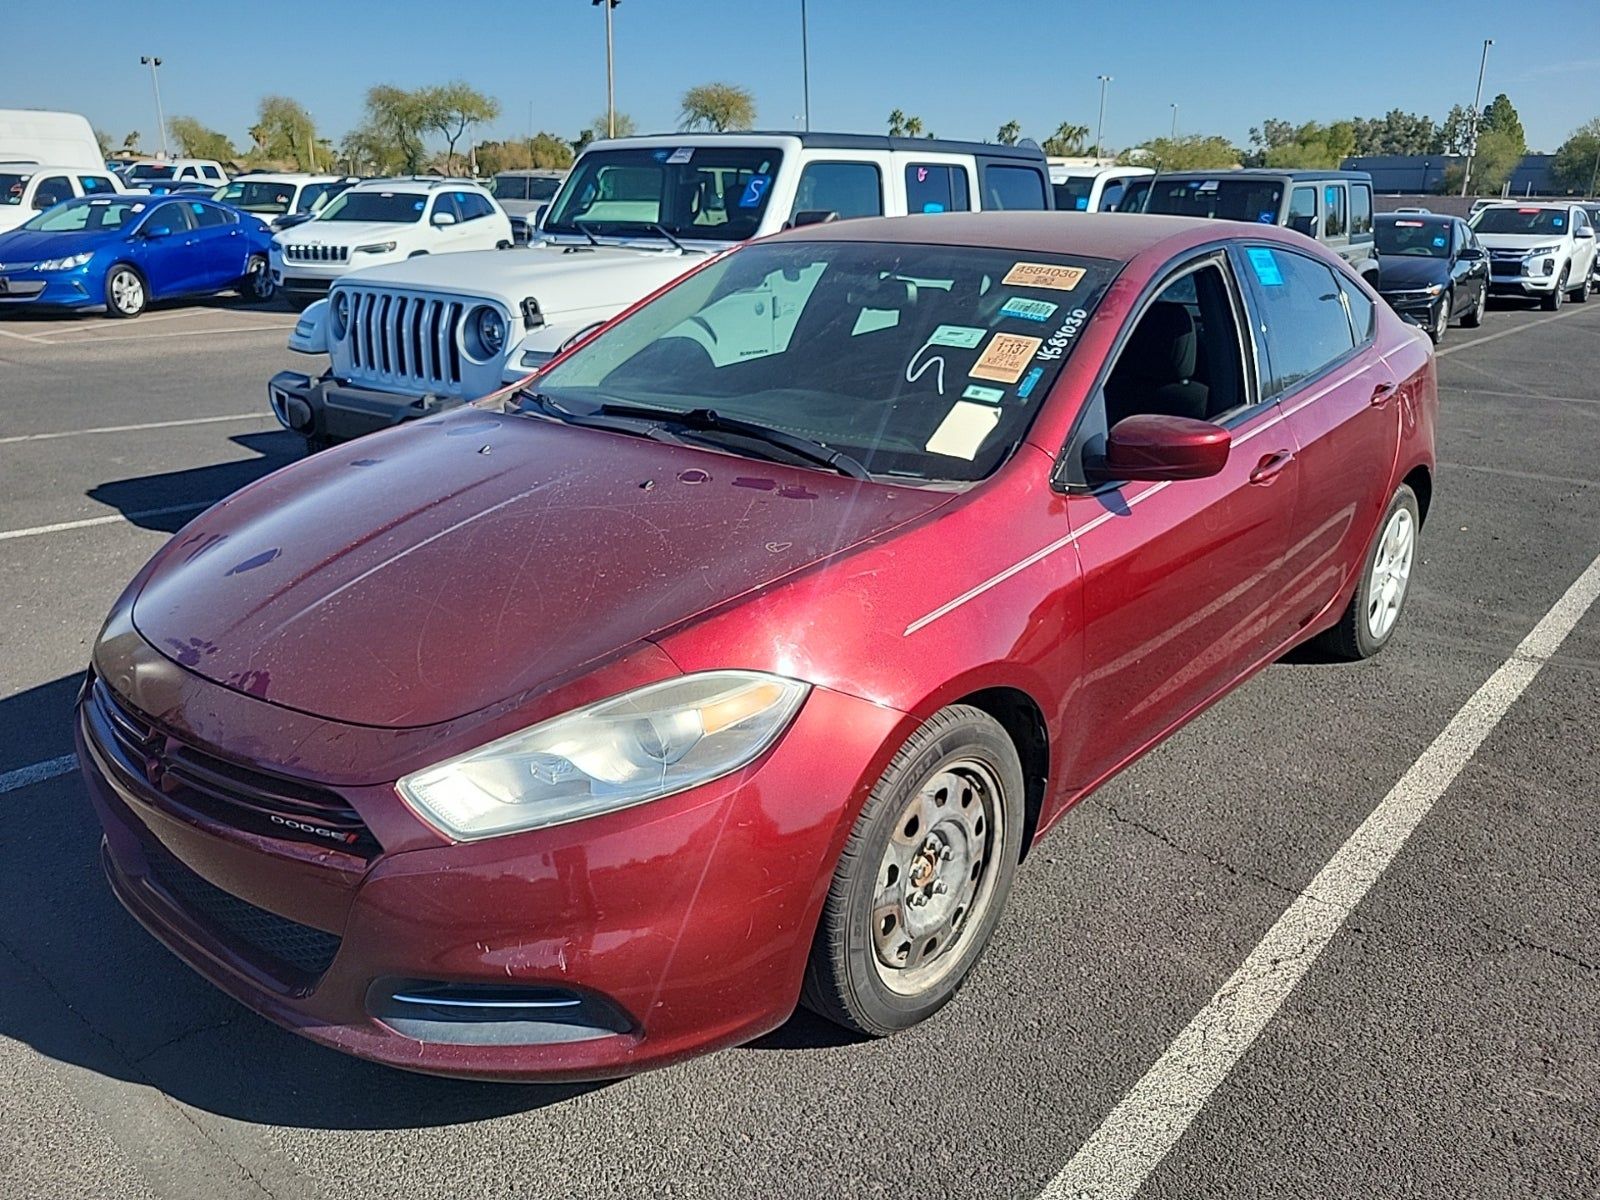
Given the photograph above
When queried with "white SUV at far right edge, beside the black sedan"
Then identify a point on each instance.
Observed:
(1545, 252)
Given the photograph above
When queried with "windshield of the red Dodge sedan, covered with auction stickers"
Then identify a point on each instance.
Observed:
(919, 362)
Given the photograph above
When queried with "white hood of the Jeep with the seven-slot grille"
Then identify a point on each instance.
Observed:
(559, 278)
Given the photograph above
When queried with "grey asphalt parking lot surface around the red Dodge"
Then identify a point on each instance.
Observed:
(1442, 1044)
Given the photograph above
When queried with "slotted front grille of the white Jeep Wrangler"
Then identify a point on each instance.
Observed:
(404, 340)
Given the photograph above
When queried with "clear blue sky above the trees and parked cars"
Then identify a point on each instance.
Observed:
(964, 66)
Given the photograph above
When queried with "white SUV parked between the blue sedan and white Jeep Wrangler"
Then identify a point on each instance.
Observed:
(386, 222)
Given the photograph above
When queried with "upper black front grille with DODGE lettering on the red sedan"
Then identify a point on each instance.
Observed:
(226, 793)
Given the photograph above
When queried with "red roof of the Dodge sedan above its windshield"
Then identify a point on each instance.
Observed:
(1110, 236)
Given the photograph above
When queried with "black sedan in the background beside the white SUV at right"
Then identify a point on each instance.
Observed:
(1433, 270)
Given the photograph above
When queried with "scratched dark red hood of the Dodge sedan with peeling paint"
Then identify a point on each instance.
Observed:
(433, 570)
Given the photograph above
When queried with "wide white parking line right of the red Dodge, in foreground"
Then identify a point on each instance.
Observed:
(1150, 1121)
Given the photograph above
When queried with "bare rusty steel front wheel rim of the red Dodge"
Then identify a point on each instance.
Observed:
(937, 876)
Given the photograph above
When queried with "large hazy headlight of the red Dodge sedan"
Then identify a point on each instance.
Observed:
(639, 746)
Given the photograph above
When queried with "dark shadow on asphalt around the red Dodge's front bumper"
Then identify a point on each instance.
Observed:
(84, 985)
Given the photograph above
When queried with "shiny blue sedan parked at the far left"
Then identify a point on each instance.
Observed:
(122, 252)
